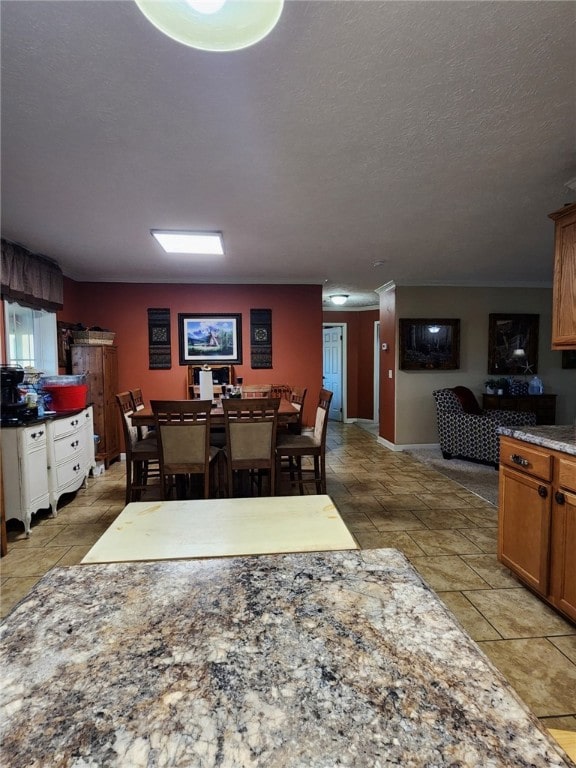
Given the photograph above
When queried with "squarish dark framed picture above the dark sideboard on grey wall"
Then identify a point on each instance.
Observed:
(513, 344)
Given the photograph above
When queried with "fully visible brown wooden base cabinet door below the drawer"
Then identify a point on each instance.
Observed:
(524, 527)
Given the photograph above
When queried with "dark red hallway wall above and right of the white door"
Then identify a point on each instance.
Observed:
(360, 360)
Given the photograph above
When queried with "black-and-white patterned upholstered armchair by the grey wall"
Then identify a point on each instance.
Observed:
(467, 431)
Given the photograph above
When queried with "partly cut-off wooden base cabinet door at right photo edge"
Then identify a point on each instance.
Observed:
(563, 572)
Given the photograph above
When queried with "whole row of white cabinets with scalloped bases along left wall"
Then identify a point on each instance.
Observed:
(42, 461)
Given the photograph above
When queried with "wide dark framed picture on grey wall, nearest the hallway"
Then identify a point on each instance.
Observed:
(429, 344)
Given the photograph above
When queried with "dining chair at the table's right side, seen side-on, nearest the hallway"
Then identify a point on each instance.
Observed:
(291, 449)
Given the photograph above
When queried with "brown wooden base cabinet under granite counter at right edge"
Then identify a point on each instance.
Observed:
(537, 520)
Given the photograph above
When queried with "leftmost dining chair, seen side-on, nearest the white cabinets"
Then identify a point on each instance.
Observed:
(142, 459)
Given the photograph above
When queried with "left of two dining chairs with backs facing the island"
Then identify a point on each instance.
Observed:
(183, 429)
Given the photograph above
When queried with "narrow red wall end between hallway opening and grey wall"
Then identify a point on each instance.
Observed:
(388, 362)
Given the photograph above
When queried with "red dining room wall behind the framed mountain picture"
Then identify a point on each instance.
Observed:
(122, 308)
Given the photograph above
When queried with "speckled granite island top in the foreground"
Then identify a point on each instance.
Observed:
(283, 661)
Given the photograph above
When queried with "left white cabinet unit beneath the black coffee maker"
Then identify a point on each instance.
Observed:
(24, 472)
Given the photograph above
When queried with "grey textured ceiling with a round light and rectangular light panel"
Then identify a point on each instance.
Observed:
(432, 137)
